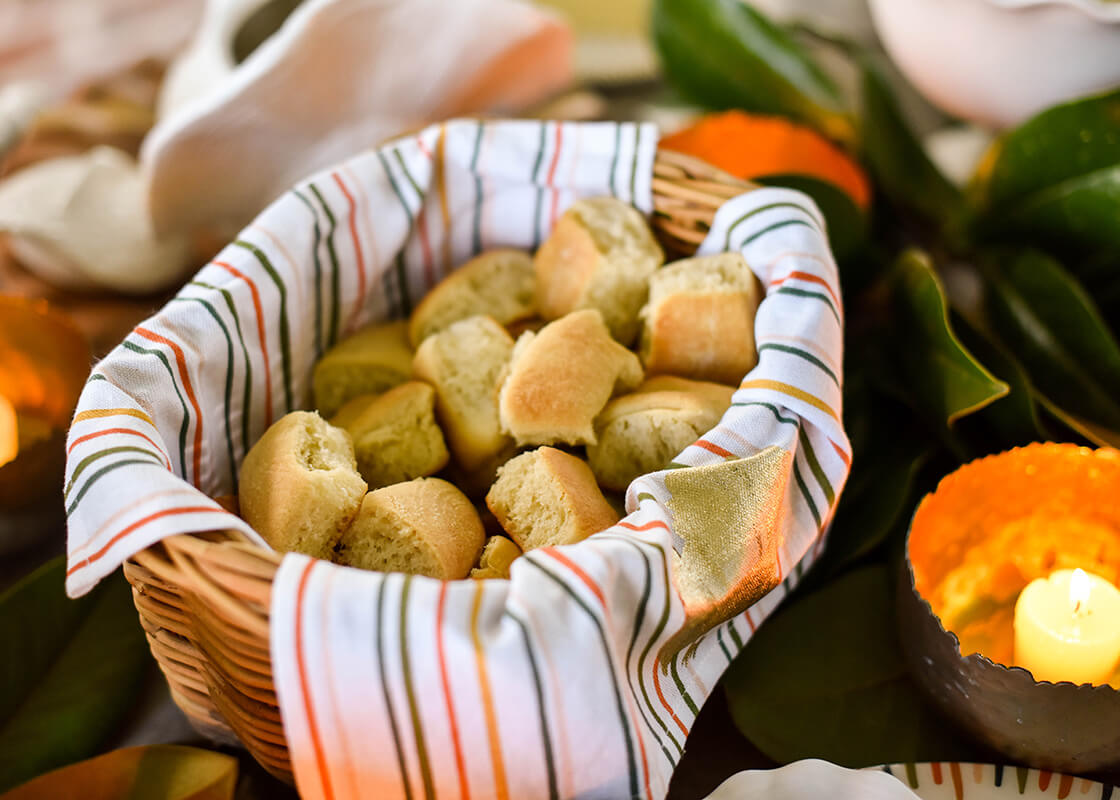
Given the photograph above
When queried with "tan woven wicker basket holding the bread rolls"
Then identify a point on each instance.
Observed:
(204, 599)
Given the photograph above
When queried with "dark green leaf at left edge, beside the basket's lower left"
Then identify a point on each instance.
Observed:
(69, 671)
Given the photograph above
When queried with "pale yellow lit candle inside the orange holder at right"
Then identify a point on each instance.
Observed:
(1068, 628)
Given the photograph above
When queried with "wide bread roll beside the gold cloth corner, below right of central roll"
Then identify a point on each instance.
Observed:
(642, 432)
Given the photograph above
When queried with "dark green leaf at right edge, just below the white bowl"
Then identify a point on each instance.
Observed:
(1063, 143)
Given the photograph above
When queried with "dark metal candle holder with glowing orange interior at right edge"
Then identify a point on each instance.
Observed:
(991, 529)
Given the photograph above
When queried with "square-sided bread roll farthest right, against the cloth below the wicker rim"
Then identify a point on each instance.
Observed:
(701, 320)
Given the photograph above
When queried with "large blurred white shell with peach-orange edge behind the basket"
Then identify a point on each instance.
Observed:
(339, 77)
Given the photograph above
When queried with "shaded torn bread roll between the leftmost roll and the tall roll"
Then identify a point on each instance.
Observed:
(396, 436)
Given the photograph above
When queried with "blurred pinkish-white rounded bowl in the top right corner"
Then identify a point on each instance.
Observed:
(1000, 62)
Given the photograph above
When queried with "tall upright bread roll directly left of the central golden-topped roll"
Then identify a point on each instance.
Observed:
(465, 362)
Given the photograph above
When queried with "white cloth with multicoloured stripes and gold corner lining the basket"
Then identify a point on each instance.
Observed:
(581, 676)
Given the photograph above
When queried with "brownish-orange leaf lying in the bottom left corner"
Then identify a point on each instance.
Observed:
(156, 773)
